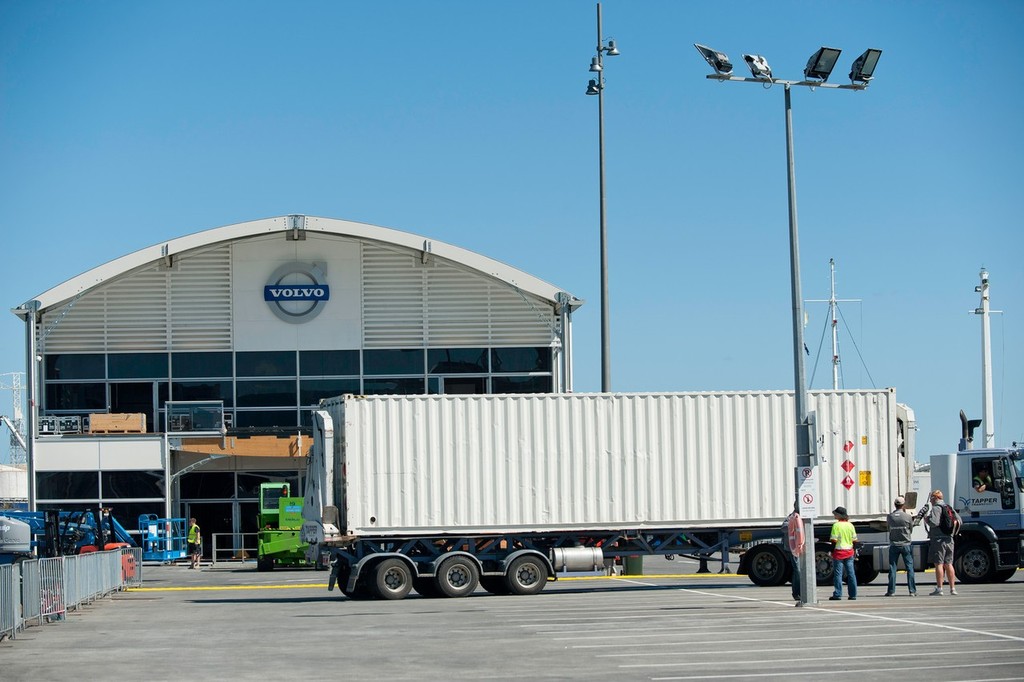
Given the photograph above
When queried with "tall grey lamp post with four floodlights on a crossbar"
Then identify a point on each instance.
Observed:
(819, 69)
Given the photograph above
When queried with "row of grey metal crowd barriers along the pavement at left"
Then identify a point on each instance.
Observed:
(45, 590)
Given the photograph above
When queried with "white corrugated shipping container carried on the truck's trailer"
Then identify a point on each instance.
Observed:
(496, 463)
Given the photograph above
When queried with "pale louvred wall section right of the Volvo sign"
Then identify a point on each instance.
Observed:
(409, 304)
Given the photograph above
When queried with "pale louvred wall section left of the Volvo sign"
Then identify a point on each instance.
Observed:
(186, 308)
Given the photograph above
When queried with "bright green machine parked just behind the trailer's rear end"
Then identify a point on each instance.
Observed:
(280, 522)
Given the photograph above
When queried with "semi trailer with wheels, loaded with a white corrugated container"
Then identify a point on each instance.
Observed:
(443, 494)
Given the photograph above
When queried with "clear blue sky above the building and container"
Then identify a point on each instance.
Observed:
(124, 124)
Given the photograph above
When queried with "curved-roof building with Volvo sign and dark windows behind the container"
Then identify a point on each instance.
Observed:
(265, 319)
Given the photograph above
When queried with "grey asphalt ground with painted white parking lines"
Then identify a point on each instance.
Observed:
(231, 623)
